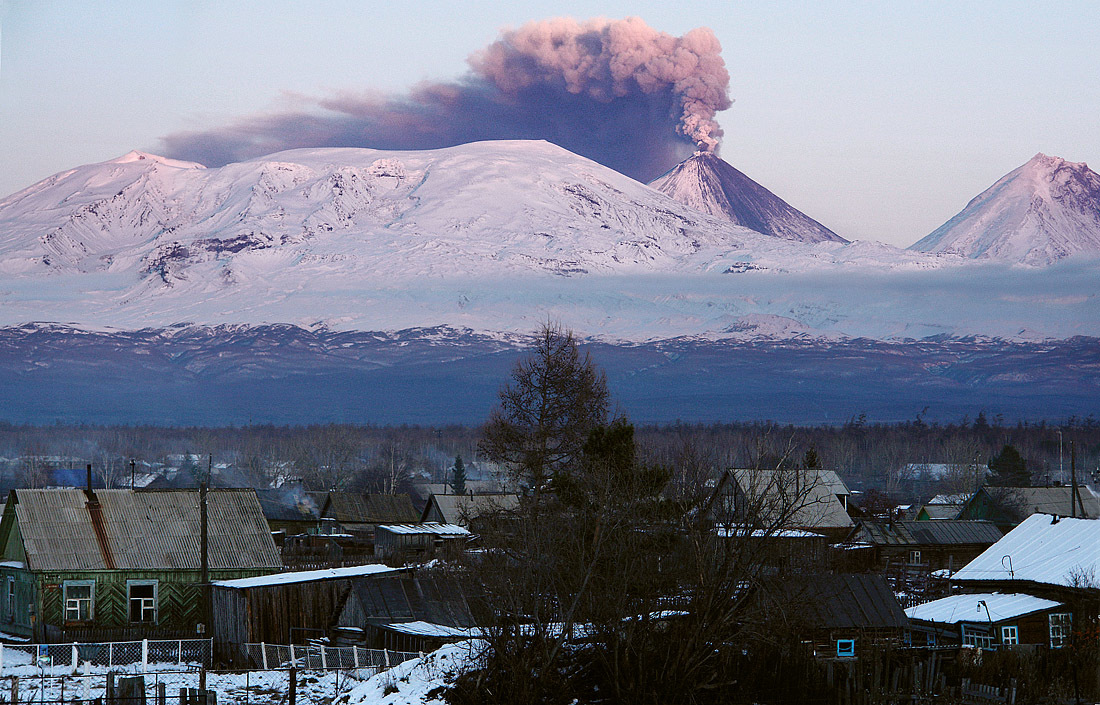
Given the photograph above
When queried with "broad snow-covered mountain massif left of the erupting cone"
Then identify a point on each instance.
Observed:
(490, 207)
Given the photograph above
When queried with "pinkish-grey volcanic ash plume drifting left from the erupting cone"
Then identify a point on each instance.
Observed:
(614, 91)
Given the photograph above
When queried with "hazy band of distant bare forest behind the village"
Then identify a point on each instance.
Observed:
(886, 458)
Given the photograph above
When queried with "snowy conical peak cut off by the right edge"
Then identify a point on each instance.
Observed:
(1039, 214)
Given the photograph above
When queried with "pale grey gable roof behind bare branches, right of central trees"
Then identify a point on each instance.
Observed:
(807, 495)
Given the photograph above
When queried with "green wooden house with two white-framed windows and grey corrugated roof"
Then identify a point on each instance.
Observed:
(118, 565)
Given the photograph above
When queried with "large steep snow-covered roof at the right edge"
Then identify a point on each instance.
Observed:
(1043, 549)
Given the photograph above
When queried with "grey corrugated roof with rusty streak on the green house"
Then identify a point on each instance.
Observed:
(142, 531)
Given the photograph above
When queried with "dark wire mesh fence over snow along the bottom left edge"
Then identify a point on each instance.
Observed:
(248, 688)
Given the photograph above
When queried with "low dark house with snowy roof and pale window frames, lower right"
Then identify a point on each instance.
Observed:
(988, 621)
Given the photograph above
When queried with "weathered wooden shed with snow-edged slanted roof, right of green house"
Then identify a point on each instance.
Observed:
(281, 609)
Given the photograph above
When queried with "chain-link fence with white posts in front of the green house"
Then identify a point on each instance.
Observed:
(136, 656)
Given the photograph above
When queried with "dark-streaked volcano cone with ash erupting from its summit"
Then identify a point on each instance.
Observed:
(711, 185)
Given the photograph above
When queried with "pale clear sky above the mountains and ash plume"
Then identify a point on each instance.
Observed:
(879, 119)
